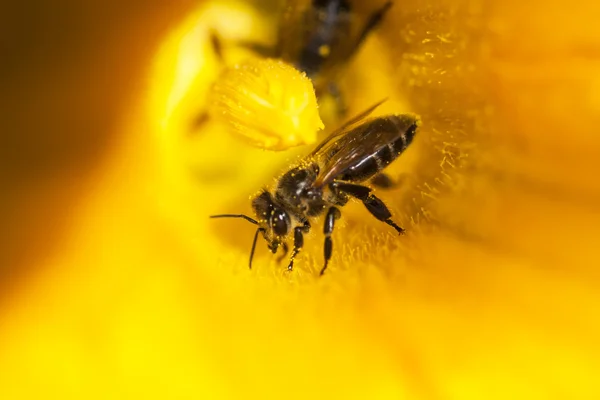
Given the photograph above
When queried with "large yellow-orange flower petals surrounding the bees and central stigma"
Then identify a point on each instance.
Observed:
(115, 284)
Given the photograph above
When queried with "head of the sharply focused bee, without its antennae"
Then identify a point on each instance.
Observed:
(272, 217)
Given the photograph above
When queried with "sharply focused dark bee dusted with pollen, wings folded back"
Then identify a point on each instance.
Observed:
(327, 178)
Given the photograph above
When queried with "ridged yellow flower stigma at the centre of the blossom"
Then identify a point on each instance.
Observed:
(266, 103)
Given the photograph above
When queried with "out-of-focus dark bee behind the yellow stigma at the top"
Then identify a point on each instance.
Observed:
(320, 37)
